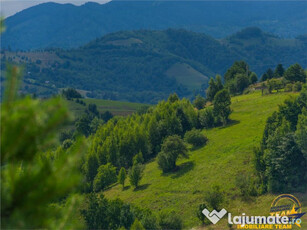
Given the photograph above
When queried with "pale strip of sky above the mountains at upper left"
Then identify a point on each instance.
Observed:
(10, 7)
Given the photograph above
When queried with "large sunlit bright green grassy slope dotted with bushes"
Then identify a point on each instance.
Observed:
(228, 152)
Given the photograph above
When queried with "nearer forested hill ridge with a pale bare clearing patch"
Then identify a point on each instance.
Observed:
(146, 66)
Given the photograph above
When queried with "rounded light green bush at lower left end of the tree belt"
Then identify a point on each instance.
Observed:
(106, 175)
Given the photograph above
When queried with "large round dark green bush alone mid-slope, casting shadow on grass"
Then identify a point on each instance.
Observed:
(172, 148)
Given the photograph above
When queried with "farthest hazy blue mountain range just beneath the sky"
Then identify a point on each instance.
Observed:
(67, 25)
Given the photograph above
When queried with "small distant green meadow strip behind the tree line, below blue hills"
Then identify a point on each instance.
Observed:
(115, 107)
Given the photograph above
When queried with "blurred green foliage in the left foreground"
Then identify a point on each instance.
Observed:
(39, 181)
